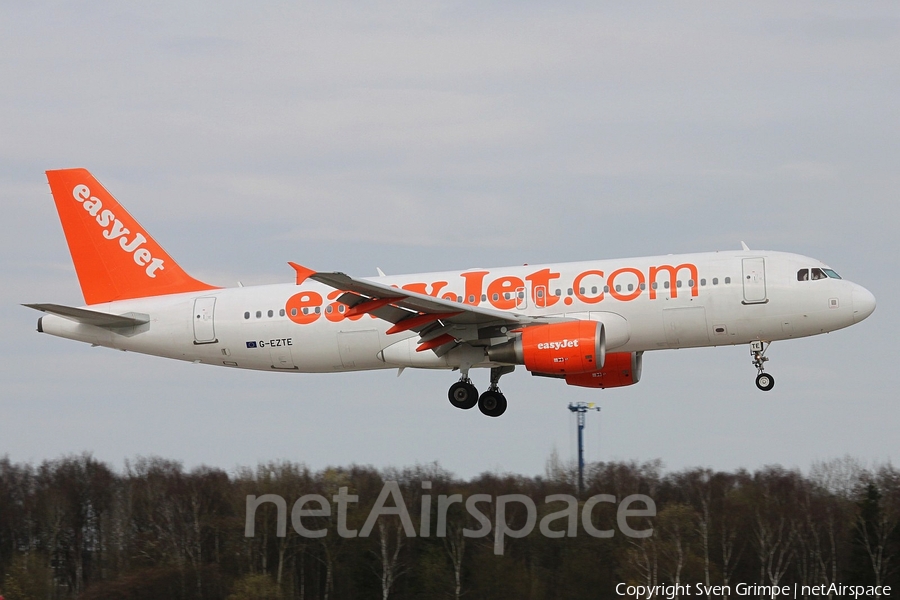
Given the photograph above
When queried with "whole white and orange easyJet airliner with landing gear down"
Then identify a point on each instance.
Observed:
(587, 323)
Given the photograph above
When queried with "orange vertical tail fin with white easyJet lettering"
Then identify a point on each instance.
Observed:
(115, 258)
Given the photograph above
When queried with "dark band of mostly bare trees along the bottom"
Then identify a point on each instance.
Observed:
(75, 528)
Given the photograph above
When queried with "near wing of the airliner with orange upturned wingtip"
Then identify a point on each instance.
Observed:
(438, 321)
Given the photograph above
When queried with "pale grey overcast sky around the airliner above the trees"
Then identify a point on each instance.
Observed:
(422, 136)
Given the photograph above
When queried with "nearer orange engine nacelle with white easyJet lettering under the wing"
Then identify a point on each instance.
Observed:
(556, 349)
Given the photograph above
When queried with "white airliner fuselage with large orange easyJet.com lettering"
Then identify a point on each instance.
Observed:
(713, 299)
